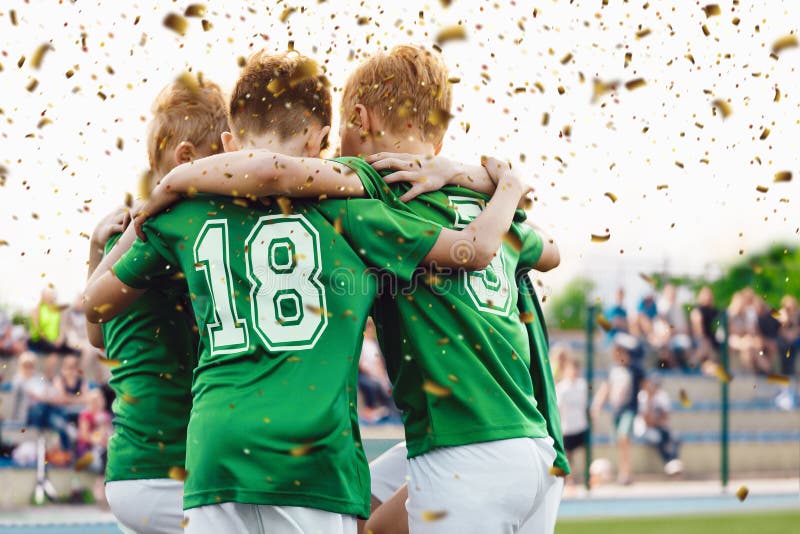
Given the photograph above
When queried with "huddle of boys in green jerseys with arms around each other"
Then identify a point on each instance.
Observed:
(235, 318)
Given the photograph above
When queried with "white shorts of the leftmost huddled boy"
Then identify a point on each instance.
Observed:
(147, 506)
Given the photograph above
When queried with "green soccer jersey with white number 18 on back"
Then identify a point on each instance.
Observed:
(281, 301)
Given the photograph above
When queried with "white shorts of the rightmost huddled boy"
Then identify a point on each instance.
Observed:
(497, 486)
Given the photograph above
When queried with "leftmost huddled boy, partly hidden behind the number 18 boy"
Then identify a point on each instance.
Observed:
(152, 344)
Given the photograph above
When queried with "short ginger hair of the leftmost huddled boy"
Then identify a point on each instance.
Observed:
(189, 109)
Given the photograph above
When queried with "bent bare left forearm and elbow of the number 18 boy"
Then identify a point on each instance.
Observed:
(106, 296)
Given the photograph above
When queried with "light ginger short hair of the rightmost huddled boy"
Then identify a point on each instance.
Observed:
(407, 87)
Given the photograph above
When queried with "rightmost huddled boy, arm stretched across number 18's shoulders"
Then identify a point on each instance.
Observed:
(438, 414)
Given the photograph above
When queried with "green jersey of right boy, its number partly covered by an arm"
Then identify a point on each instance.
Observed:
(457, 353)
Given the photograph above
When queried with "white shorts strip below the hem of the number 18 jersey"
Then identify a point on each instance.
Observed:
(265, 519)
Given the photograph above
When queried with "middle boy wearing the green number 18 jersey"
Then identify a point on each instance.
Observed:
(281, 300)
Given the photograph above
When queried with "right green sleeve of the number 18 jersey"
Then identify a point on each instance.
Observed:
(392, 240)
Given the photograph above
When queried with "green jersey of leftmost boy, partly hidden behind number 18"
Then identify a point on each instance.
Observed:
(152, 347)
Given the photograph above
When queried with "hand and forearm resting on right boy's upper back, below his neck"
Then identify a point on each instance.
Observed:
(431, 173)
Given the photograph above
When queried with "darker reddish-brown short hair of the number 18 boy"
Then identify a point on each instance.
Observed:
(281, 93)
